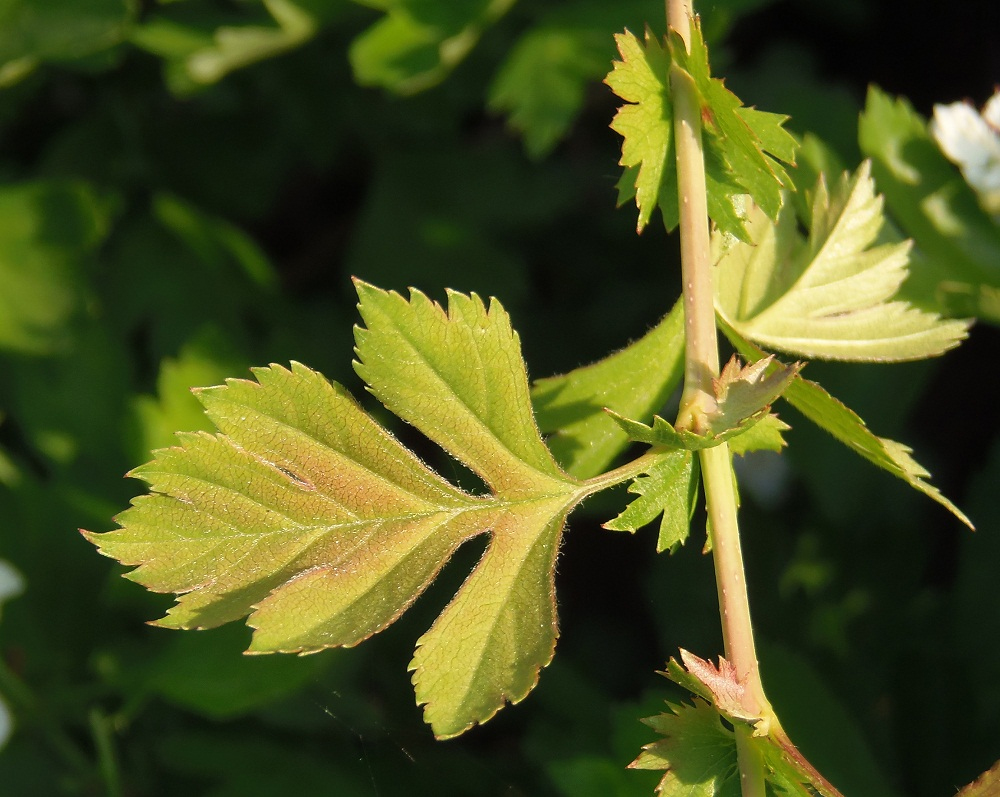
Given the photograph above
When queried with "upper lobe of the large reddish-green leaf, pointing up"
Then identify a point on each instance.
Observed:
(458, 376)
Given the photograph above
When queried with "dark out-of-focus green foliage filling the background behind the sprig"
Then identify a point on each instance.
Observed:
(186, 187)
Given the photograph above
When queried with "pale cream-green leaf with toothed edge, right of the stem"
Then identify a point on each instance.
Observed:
(829, 296)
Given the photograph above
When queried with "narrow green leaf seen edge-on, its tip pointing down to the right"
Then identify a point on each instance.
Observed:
(829, 414)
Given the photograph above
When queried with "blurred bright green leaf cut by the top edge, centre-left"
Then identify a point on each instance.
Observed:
(418, 42)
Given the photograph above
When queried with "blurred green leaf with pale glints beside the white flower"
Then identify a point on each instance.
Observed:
(958, 243)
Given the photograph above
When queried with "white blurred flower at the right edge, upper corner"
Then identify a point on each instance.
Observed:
(972, 140)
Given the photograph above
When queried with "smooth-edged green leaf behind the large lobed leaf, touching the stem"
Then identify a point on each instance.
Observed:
(634, 382)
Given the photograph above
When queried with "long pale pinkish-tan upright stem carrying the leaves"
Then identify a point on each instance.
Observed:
(697, 402)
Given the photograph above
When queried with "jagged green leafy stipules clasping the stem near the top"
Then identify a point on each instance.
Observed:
(739, 142)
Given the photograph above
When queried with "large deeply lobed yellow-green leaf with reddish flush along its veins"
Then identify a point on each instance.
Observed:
(308, 516)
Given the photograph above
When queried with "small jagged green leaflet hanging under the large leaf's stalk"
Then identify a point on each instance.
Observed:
(670, 487)
